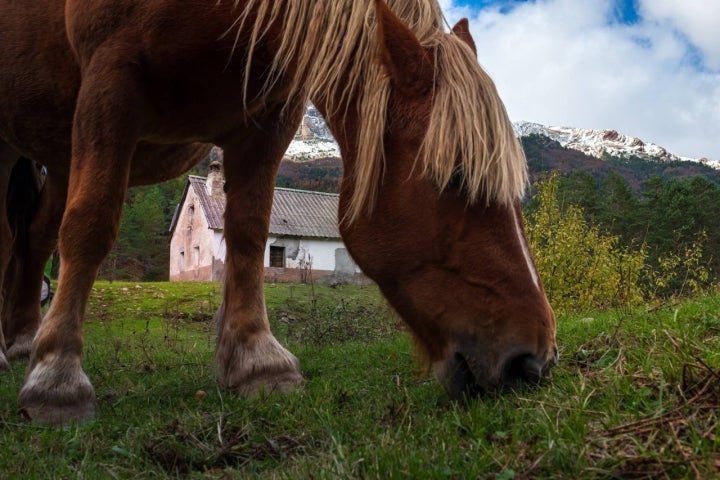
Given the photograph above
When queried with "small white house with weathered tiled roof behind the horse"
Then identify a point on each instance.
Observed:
(304, 241)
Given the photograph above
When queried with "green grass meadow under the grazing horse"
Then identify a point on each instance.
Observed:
(636, 395)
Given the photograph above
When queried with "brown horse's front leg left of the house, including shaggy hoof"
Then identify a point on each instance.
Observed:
(56, 388)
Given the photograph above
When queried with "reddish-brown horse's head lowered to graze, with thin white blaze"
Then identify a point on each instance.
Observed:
(445, 246)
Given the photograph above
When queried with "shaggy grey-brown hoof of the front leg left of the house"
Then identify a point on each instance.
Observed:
(56, 396)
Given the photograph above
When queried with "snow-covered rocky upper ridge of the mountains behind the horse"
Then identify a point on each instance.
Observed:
(314, 140)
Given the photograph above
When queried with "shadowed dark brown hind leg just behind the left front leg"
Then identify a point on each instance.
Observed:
(23, 320)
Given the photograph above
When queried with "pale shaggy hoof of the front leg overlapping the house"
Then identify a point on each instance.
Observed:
(266, 366)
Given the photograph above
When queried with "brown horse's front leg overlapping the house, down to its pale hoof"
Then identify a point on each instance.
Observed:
(250, 359)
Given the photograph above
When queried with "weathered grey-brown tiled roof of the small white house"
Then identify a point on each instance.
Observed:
(298, 213)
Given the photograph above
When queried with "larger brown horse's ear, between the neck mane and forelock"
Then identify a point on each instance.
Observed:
(407, 62)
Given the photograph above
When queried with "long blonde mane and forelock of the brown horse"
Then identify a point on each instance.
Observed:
(333, 50)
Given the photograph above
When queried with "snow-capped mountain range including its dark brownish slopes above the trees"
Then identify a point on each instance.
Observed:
(313, 158)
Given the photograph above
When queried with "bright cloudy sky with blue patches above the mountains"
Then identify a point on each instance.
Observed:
(646, 68)
